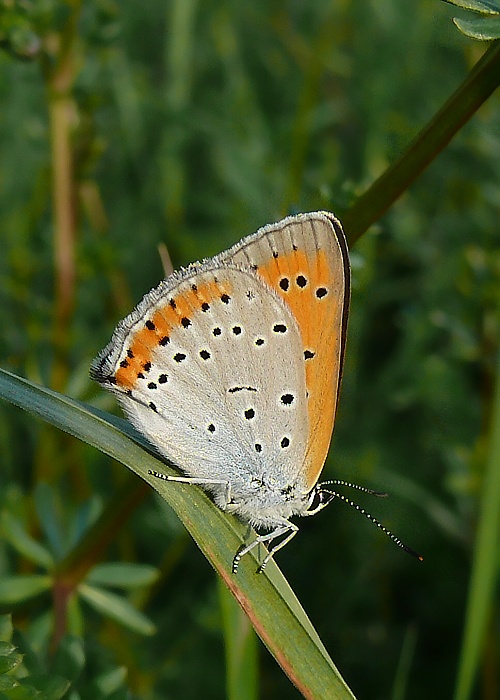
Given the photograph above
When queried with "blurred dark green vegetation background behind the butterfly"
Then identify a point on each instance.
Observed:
(192, 124)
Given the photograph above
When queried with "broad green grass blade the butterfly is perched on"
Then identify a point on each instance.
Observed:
(267, 599)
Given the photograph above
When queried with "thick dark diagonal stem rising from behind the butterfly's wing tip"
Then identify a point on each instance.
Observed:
(472, 93)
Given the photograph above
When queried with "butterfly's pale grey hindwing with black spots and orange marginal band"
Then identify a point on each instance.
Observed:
(209, 368)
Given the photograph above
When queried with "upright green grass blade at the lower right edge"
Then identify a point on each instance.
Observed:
(485, 561)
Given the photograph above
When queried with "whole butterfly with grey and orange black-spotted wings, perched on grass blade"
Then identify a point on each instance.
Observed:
(231, 368)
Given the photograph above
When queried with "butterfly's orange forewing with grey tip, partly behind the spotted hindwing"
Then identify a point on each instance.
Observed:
(305, 260)
